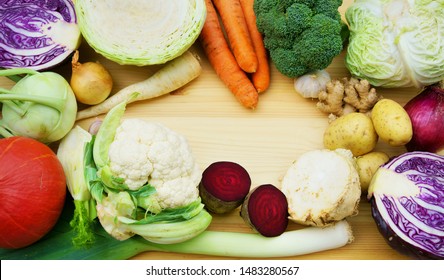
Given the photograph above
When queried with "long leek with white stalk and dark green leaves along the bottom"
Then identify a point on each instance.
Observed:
(58, 244)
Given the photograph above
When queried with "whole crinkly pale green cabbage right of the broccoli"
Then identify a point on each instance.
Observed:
(396, 43)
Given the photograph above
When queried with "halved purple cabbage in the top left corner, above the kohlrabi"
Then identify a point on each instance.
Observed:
(37, 34)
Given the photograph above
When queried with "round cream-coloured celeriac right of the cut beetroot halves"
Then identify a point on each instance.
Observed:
(322, 187)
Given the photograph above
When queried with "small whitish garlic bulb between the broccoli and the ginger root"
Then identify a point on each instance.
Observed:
(310, 84)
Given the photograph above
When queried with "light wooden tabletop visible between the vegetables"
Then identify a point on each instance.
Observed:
(265, 141)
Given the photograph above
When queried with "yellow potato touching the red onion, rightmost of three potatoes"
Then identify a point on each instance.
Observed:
(392, 123)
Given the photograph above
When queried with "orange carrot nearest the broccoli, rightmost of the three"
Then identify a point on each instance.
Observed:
(260, 78)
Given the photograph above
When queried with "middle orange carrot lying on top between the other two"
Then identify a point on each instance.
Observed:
(233, 21)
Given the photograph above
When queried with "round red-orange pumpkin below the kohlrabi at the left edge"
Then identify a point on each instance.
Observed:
(32, 191)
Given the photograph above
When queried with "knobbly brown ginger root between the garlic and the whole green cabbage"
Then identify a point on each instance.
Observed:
(346, 95)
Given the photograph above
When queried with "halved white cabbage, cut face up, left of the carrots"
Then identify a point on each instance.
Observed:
(140, 32)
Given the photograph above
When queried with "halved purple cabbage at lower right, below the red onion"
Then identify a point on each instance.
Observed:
(407, 201)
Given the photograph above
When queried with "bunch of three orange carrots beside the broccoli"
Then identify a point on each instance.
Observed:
(241, 60)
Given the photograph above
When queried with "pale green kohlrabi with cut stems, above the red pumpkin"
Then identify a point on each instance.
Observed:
(41, 105)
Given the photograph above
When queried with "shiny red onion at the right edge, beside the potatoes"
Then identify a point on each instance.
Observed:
(426, 111)
